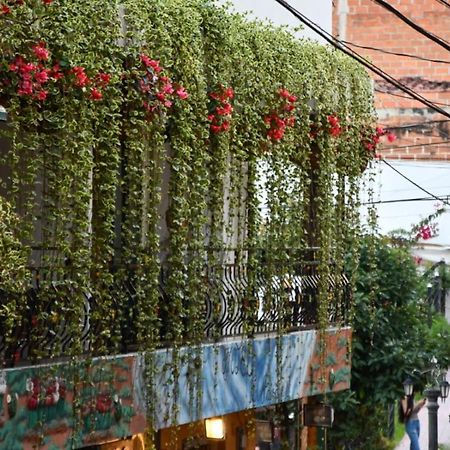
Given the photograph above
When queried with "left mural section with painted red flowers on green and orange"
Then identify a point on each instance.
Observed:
(67, 406)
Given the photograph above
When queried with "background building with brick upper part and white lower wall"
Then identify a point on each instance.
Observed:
(422, 149)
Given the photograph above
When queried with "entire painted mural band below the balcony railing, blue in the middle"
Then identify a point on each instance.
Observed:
(77, 404)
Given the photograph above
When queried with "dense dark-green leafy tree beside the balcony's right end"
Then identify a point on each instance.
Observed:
(389, 329)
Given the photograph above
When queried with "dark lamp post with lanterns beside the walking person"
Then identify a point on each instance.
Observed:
(439, 388)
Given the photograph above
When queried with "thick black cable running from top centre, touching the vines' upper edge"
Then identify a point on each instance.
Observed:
(351, 53)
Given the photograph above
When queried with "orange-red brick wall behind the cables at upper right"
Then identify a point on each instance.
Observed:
(368, 24)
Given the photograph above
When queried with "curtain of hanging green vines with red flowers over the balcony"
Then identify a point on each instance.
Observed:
(135, 139)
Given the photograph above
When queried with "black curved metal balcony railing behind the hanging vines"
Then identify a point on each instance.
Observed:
(287, 302)
